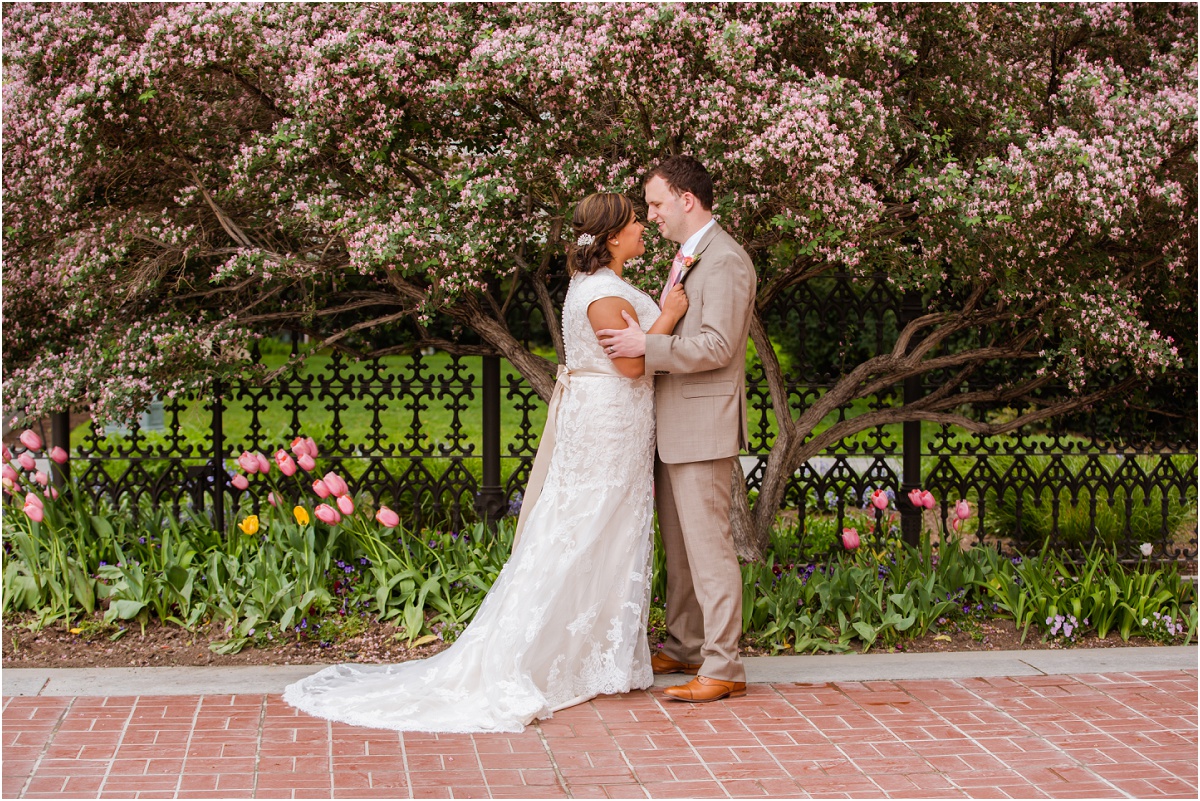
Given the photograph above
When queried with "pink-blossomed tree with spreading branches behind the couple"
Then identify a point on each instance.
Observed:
(179, 178)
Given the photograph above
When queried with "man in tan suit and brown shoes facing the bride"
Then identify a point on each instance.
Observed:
(700, 395)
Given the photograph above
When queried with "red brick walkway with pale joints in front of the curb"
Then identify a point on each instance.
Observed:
(1114, 736)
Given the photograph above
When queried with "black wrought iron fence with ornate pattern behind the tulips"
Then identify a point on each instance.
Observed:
(452, 439)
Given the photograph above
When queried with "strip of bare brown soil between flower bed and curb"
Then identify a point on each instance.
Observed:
(160, 646)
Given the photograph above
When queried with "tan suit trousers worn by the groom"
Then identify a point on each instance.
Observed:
(704, 577)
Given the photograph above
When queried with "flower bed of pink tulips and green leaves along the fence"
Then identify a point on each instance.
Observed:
(317, 565)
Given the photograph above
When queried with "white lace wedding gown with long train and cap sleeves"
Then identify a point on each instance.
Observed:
(566, 619)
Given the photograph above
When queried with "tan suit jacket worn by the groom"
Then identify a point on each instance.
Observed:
(700, 369)
